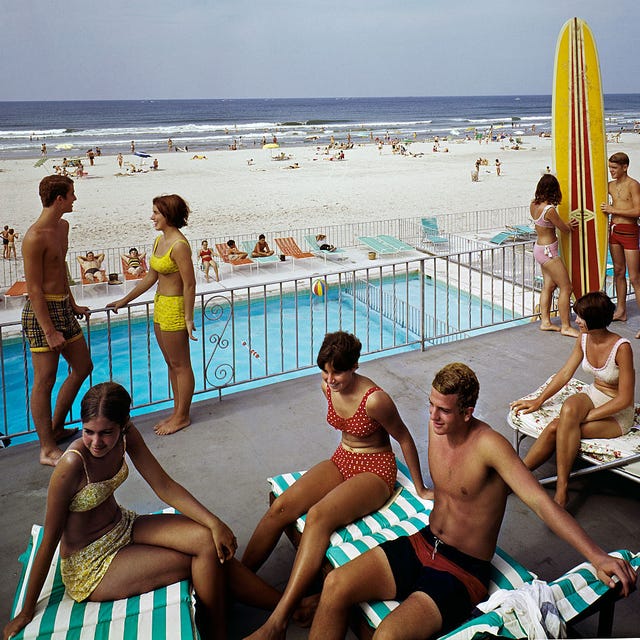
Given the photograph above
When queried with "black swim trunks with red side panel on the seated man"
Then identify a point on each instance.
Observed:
(448, 592)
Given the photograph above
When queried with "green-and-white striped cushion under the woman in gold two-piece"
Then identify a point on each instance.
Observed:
(165, 613)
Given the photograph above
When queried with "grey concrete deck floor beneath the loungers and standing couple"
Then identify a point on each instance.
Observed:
(282, 427)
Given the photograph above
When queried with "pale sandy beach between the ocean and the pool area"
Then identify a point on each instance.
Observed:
(248, 191)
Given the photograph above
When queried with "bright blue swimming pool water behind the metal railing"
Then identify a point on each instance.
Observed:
(240, 346)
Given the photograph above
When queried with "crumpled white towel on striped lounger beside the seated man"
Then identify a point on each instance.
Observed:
(530, 609)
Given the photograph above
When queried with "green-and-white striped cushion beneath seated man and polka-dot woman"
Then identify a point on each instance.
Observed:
(575, 591)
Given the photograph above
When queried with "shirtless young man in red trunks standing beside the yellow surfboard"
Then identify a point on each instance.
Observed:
(623, 236)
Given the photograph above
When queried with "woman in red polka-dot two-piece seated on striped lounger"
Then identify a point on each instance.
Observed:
(358, 479)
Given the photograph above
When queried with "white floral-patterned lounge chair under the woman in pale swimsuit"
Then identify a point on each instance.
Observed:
(620, 455)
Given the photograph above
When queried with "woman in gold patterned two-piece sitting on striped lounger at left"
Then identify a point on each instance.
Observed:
(107, 552)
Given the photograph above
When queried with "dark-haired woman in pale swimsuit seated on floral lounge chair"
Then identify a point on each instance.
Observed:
(602, 410)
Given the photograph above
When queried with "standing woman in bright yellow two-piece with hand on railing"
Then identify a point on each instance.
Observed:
(170, 266)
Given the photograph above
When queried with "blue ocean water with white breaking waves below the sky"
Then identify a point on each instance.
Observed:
(71, 128)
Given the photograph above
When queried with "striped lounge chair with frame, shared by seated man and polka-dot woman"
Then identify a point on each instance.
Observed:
(578, 593)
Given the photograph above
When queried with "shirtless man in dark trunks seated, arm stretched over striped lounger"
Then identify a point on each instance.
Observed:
(441, 572)
